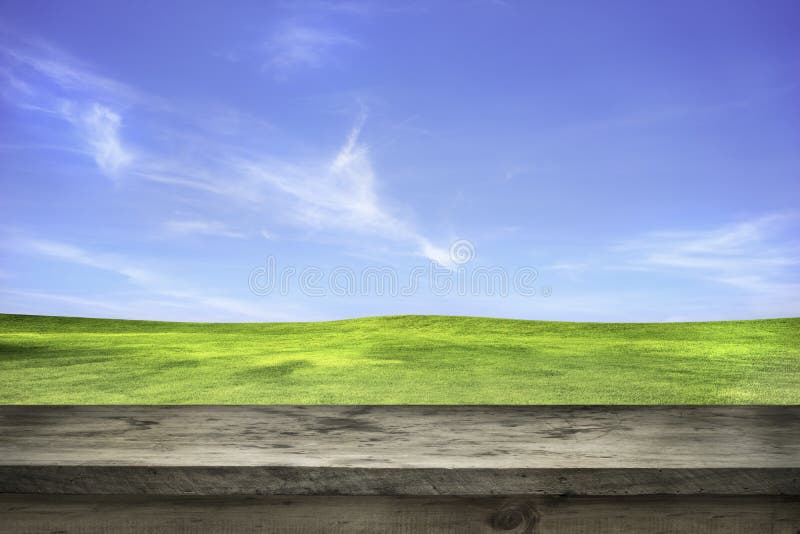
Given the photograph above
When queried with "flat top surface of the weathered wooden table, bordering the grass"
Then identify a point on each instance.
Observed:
(403, 436)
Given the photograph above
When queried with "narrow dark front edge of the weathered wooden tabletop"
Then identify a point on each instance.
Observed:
(120, 480)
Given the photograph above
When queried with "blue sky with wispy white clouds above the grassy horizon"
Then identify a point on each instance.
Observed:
(642, 157)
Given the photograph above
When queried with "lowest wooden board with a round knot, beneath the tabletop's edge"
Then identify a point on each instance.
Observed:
(38, 514)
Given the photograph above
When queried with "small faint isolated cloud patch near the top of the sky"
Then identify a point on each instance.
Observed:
(295, 45)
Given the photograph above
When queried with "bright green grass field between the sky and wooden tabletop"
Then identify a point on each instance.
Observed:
(398, 360)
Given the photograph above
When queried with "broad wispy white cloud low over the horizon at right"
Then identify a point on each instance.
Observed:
(749, 266)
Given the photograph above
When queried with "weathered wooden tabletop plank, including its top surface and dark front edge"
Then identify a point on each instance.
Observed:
(400, 450)
